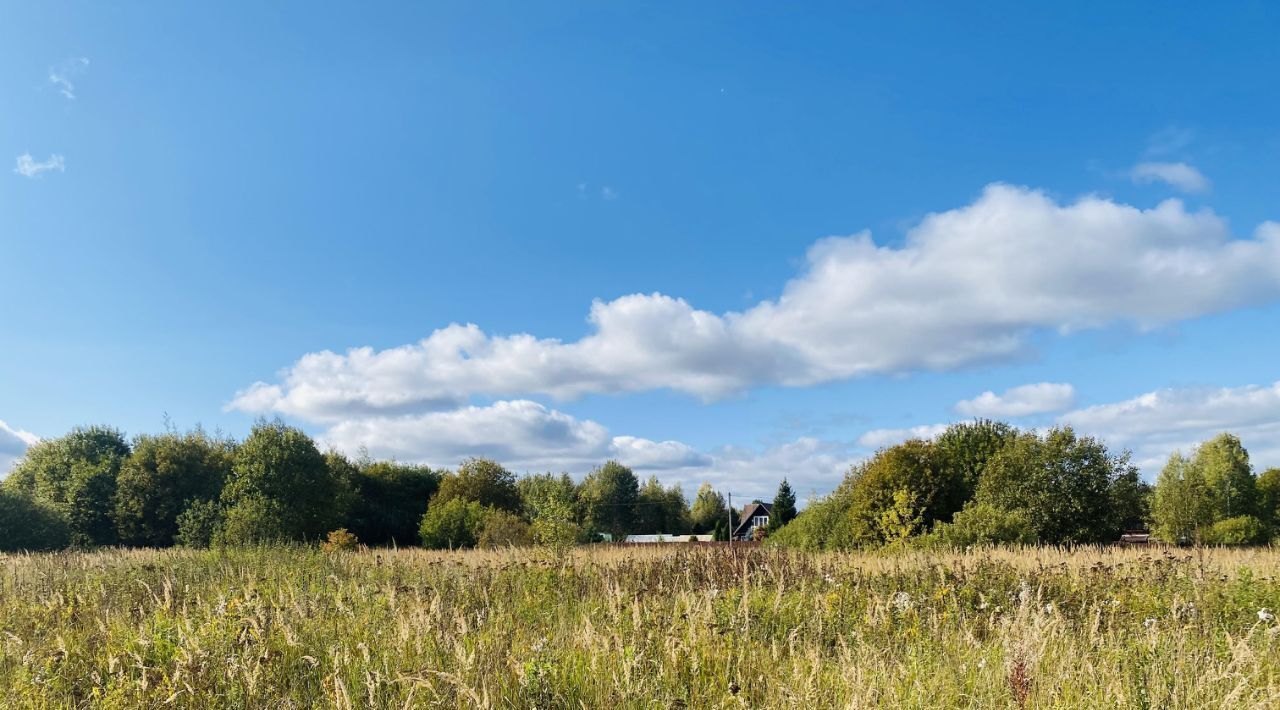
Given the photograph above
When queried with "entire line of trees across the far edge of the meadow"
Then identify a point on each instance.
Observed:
(977, 483)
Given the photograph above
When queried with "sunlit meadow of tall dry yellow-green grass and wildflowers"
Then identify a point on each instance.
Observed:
(633, 627)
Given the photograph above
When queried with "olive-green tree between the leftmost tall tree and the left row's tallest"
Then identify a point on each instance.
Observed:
(162, 478)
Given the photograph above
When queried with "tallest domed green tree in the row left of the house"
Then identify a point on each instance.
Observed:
(281, 488)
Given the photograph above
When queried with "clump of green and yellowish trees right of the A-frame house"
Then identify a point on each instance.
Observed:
(989, 483)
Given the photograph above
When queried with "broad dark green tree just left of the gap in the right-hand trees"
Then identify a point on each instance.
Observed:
(1062, 482)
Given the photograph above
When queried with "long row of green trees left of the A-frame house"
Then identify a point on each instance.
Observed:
(93, 488)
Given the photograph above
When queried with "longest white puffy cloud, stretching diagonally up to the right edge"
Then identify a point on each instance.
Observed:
(968, 286)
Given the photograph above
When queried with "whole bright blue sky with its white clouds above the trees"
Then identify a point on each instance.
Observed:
(202, 196)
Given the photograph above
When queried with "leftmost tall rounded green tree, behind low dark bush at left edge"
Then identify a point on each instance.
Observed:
(76, 477)
